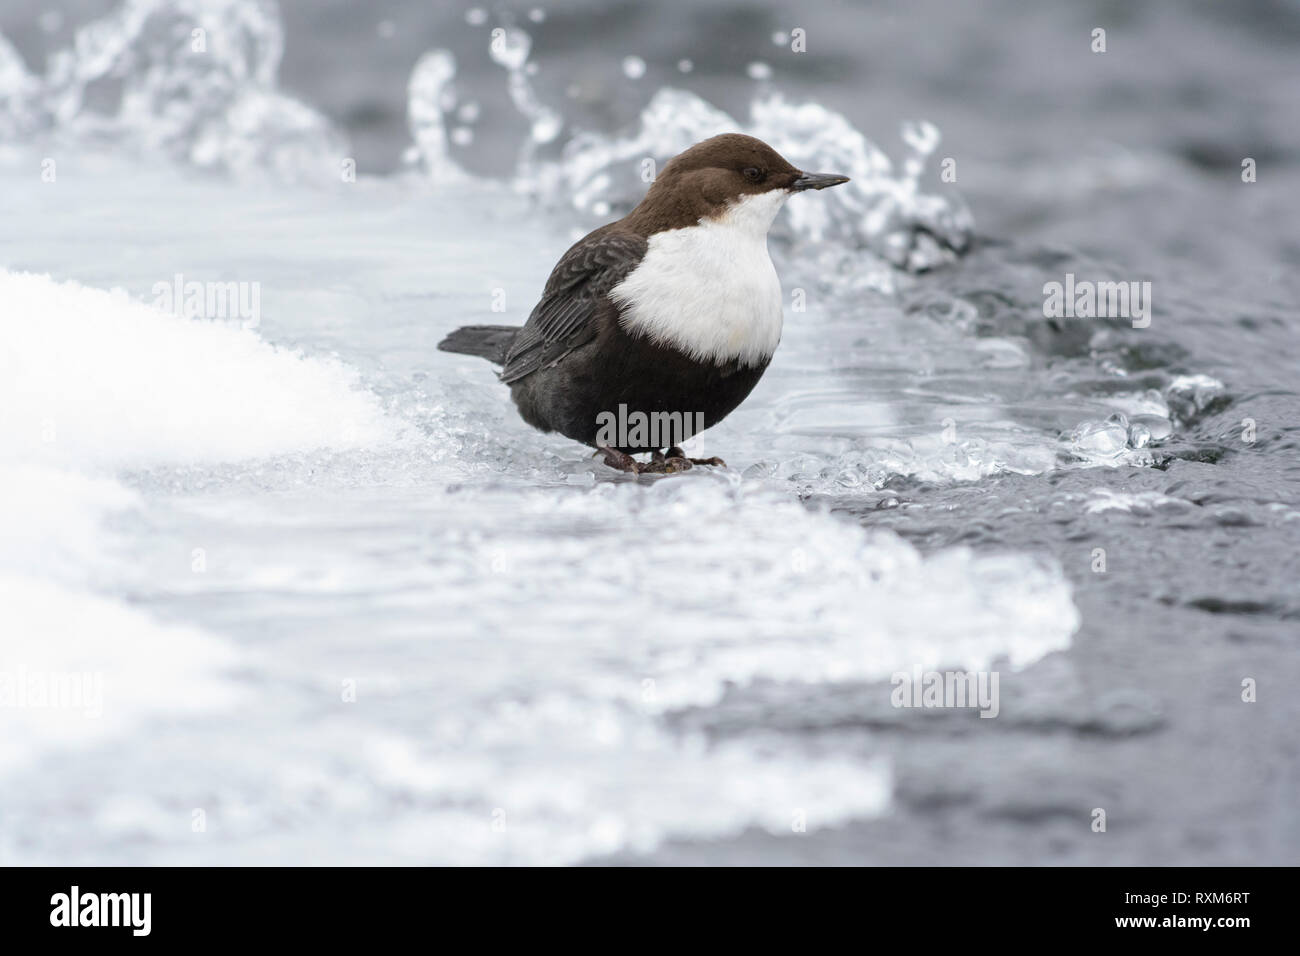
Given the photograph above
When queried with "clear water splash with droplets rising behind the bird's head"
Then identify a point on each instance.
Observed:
(601, 176)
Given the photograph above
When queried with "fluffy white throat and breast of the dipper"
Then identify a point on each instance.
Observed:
(710, 291)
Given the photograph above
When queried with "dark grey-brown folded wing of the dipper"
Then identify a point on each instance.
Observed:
(566, 317)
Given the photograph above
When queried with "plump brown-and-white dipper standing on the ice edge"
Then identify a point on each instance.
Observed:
(668, 317)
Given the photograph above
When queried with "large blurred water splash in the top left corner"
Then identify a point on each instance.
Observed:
(193, 80)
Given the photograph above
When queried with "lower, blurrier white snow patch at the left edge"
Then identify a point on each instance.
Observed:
(77, 668)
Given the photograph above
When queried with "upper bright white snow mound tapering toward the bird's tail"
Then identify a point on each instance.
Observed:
(92, 378)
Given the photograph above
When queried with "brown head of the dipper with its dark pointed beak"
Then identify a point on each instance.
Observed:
(714, 176)
